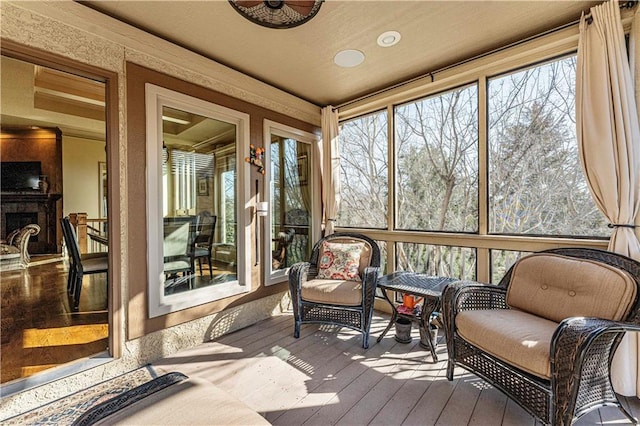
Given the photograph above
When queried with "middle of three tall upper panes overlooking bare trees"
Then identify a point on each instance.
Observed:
(437, 162)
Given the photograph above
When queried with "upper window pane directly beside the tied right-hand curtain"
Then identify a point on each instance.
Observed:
(536, 183)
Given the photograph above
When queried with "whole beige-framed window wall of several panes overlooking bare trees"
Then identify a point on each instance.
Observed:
(473, 174)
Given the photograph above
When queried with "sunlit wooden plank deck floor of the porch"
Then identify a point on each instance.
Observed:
(326, 378)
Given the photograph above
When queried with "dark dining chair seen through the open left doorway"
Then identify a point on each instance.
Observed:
(80, 265)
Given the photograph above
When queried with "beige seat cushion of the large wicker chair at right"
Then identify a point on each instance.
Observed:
(516, 337)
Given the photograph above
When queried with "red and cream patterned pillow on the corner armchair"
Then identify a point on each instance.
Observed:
(340, 261)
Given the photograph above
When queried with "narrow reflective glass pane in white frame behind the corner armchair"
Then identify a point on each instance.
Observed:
(290, 201)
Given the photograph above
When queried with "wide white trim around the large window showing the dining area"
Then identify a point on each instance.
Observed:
(160, 304)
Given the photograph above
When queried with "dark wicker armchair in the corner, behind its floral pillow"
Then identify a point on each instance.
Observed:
(348, 303)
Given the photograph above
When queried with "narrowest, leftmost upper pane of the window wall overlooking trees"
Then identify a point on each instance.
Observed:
(364, 172)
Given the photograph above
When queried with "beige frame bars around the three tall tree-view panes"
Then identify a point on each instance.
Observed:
(477, 70)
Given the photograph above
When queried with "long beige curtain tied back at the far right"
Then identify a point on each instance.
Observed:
(609, 143)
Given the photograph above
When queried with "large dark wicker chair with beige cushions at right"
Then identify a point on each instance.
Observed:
(572, 306)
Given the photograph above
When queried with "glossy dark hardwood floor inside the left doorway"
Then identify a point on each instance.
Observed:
(39, 328)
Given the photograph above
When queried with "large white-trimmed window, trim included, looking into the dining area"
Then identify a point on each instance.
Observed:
(196, 247)
